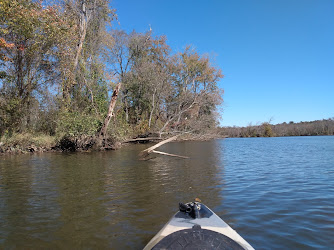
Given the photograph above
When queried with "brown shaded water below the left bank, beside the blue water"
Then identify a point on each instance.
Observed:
(102, 200)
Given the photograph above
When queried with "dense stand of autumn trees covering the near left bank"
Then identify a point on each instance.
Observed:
(65, 72)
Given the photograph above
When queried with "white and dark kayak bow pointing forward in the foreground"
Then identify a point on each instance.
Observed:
(195, 226)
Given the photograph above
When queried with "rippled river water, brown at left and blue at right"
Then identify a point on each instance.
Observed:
(278, 193)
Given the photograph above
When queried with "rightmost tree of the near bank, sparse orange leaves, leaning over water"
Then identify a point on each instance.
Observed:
(194, 87)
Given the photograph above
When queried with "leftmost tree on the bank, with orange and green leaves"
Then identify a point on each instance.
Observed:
(30, 36)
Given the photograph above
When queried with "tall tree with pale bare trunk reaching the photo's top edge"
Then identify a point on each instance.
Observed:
(91, 18)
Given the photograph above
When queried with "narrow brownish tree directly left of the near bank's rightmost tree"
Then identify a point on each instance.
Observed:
(149, 76)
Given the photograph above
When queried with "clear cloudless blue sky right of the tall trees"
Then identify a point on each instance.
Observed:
(277, 55)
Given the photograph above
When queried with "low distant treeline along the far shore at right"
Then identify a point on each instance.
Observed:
(320, 127)
